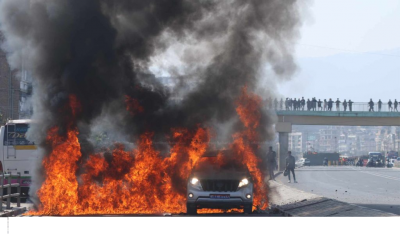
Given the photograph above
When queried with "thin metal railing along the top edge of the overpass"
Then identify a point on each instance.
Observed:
(356, 106)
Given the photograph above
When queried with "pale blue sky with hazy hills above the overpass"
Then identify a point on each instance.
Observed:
(348, 49)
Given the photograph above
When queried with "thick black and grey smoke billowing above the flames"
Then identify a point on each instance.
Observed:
(105, 52)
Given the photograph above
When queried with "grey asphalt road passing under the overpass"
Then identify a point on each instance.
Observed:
(376, 188)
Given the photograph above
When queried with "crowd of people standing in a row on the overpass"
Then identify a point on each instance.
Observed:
(326, 105)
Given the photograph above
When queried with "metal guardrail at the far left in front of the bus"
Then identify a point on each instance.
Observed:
(8, 186)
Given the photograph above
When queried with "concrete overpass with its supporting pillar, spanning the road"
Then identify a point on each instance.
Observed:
(359, 116)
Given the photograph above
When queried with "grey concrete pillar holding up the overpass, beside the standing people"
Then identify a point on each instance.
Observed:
(283, 128)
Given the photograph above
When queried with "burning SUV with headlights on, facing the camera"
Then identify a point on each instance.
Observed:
(217, 185)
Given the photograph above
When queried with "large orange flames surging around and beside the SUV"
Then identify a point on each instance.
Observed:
(138, 181)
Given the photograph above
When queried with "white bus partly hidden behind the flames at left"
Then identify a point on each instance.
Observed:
(17, 154)
